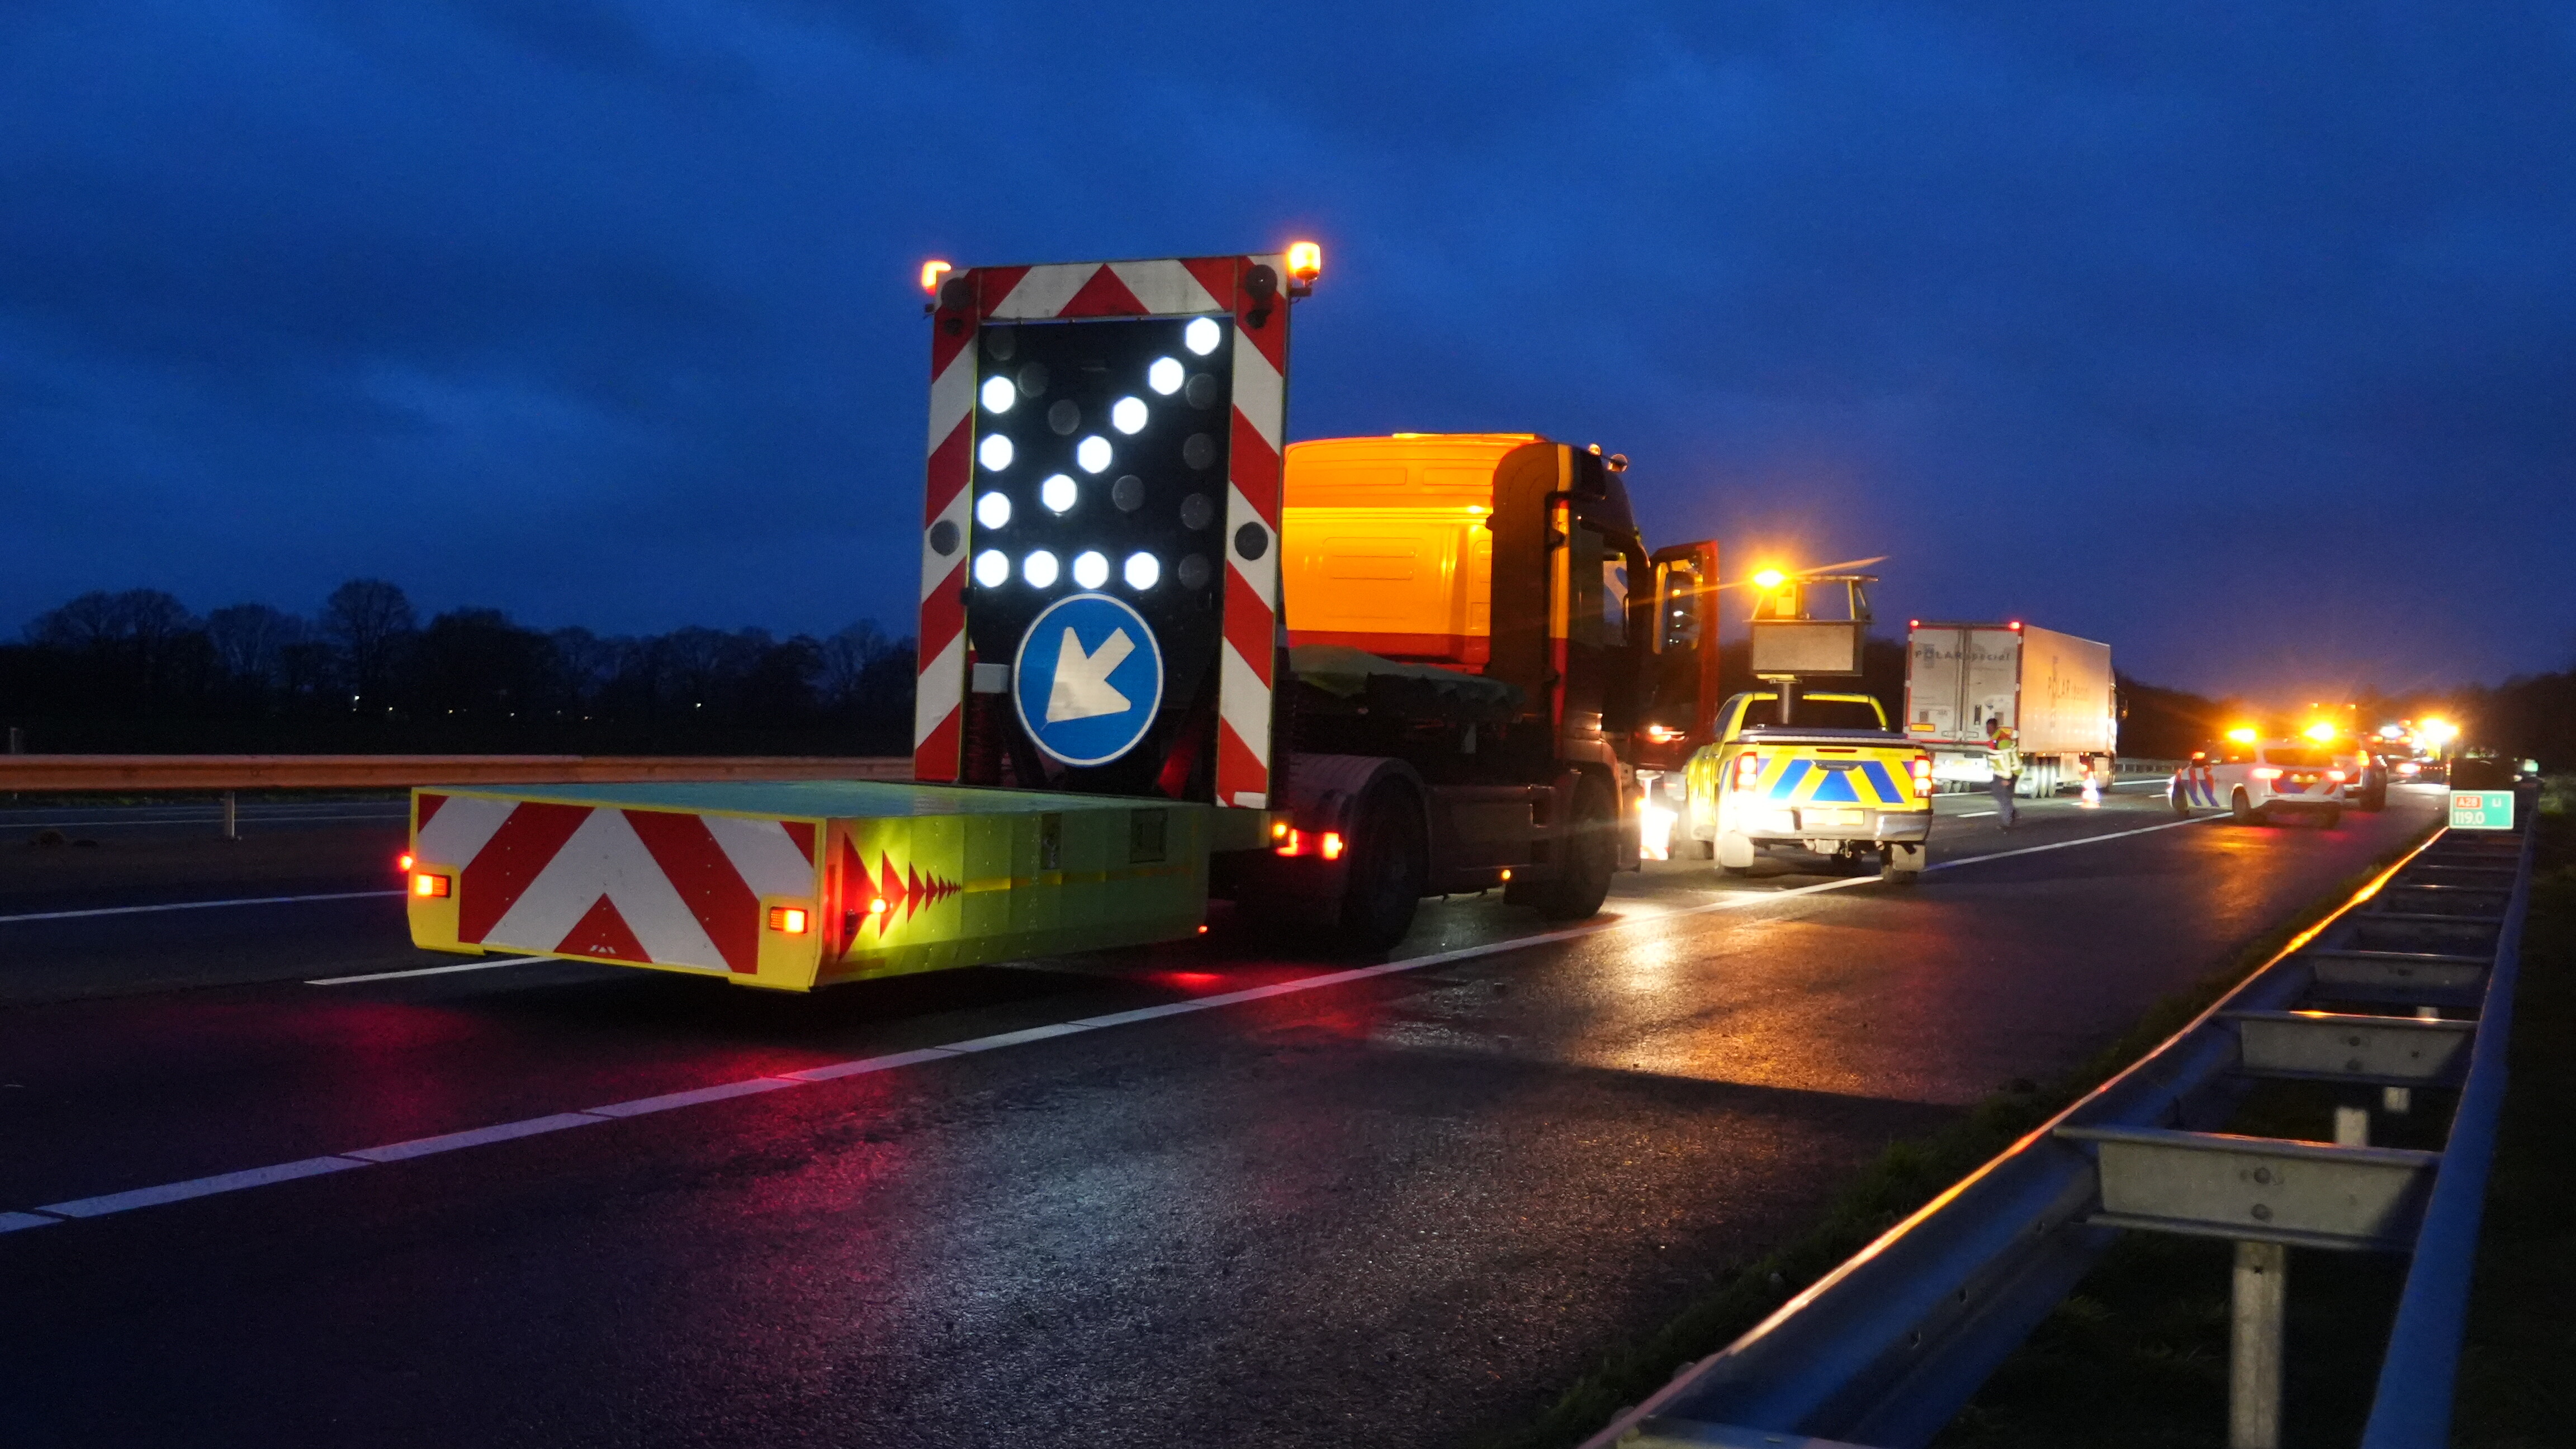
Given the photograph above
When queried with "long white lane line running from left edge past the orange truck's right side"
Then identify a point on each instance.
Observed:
(918, 1056)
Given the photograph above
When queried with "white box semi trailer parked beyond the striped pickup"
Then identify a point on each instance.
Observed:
(2052, 690)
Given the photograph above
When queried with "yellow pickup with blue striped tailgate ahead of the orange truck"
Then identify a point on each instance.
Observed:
(1835, 780)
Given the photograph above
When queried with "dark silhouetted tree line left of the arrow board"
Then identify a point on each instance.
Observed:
(138, 672)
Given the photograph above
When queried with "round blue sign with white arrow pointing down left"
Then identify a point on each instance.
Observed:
(1088, 679)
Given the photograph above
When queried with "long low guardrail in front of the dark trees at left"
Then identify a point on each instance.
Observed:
(403, 772)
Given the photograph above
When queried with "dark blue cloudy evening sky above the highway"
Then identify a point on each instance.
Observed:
(2242, 339)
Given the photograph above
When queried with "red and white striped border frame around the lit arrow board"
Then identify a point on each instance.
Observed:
(1179, 287)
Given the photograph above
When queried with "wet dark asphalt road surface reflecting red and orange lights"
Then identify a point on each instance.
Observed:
(1395, 1211)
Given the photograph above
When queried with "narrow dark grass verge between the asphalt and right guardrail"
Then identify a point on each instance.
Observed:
(1895, 1185)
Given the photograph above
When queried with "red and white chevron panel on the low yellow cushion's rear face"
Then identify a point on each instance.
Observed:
(632, 886)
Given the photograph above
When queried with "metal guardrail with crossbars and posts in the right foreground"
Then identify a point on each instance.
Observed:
(1895, 1342)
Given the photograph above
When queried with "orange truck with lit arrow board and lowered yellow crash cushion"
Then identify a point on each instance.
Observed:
(1163, 659)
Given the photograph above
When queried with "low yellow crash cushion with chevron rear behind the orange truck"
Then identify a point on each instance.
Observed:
(800, 886)
